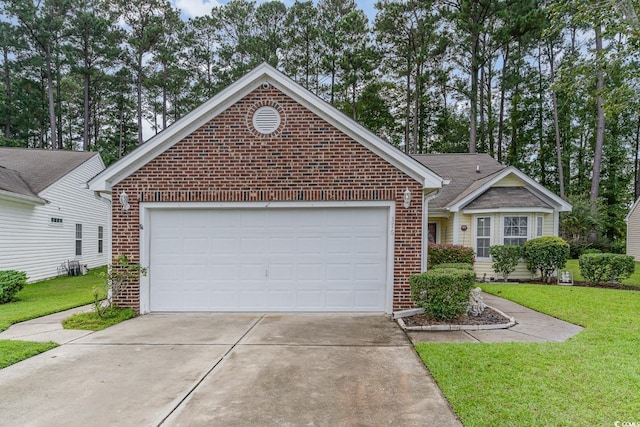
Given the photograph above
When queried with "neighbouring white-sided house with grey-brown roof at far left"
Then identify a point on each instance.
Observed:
(48, 216)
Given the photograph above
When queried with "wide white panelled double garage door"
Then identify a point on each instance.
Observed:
(313, 259)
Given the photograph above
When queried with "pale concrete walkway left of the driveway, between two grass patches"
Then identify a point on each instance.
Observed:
(46, 328)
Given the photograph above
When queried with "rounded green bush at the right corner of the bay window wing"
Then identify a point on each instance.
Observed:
(546, 255)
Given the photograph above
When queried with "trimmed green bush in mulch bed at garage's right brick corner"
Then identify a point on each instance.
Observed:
(444, 293)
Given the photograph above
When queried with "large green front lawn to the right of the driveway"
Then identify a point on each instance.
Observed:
(592, 379)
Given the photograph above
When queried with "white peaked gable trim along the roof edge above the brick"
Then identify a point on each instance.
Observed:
(260, 75)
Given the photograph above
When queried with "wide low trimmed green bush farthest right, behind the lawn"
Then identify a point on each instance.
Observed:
(599, 268)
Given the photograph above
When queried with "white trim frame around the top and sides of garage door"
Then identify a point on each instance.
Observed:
(147, 208)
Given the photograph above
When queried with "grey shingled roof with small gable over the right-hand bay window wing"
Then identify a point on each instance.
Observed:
(471, 175)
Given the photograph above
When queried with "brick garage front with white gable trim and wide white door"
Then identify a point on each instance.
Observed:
(266, 198)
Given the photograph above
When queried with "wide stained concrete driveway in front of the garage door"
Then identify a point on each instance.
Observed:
(228, 370)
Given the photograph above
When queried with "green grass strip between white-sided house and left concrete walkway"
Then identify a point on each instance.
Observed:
(50, 296)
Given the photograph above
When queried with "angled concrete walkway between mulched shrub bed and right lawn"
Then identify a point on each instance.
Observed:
(531, 326)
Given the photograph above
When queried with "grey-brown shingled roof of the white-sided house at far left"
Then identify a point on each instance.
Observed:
(25, 173)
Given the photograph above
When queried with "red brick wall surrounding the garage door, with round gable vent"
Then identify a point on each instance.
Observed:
(305, 159)
